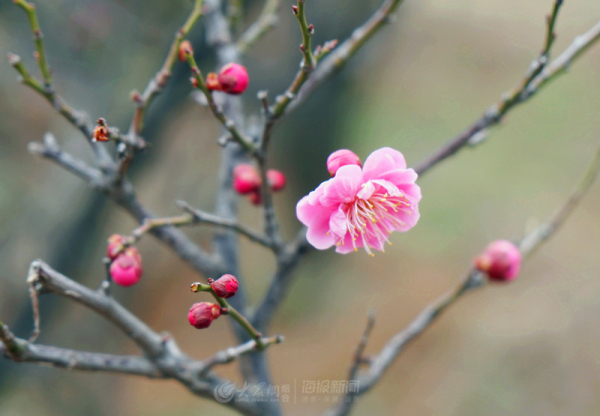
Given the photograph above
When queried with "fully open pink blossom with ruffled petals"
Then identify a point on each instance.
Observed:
(362, 207)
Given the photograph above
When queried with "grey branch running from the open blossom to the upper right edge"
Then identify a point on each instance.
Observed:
(538, 76)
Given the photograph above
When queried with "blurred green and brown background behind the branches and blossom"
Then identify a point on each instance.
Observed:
(528, 348)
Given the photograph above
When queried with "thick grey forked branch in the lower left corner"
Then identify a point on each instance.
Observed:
(163, 359)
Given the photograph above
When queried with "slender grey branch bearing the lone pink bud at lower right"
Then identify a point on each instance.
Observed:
(475, 279)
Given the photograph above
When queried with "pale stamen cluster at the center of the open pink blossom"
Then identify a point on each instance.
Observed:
(374, 219)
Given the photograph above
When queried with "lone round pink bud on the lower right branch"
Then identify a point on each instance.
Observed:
(501, 261)
